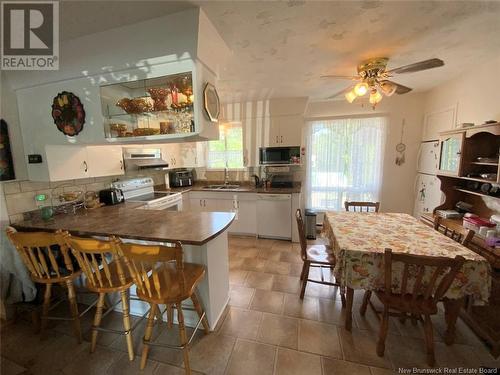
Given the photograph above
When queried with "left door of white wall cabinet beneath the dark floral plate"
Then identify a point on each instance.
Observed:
(67, 162)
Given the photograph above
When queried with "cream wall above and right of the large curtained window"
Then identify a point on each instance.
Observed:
(397, 192)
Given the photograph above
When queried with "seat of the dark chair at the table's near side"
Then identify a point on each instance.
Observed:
(407, 303)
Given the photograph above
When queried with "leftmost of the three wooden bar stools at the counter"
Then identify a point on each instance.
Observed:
(47, 258)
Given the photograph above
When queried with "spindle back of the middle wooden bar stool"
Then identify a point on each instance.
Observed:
(98, 260)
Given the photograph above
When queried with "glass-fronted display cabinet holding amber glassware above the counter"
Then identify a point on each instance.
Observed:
(158, 108)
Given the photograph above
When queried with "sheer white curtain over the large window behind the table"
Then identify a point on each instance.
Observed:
(344, 161)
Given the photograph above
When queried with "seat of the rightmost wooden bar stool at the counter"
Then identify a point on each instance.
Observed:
(170, 290)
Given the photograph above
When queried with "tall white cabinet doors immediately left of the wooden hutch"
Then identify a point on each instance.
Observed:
(427, 186)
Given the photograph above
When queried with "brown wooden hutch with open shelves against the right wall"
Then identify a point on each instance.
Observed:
(469, 171)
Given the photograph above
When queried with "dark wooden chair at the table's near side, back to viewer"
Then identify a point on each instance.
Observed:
(431, 278)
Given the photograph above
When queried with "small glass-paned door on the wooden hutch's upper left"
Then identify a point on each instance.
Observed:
(451, 154)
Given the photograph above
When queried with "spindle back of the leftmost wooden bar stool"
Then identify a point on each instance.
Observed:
(39, 256)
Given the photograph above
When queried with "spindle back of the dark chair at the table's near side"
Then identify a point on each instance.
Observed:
(447, 268)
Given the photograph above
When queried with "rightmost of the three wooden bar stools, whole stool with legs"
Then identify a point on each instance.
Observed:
(170, 282)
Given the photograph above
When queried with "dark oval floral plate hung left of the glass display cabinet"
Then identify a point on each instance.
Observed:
(68, 113)
